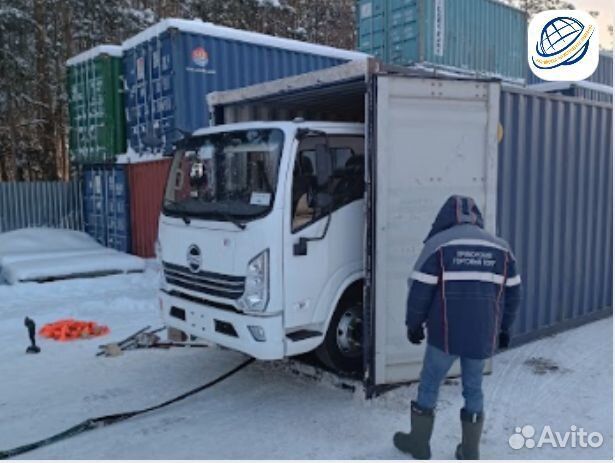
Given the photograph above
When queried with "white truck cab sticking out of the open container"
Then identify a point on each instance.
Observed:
(261, 239)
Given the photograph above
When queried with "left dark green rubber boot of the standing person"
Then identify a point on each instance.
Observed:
(416, 442)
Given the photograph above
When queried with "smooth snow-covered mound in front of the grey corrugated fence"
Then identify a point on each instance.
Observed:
(32, 254)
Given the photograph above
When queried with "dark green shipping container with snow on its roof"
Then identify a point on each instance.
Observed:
(96, 105)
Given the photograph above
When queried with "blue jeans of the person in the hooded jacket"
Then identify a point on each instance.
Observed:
(435, 367)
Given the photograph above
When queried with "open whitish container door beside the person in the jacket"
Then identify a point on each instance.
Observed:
(427, 139)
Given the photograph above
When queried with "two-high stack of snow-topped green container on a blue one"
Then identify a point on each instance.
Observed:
(97, 136)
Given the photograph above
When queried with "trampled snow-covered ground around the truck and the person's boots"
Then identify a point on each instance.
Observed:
(265, 411)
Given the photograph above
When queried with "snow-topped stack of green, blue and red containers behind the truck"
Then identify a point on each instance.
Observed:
(168, 70)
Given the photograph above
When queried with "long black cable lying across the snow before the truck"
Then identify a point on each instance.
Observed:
(107, 420)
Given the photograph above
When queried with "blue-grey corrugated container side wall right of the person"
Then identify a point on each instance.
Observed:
(555, 204)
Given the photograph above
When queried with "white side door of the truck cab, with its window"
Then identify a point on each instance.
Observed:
(323, 218)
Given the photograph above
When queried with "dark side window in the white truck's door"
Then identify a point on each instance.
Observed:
(343, 185)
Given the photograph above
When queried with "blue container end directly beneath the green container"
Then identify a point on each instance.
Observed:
(106, 205)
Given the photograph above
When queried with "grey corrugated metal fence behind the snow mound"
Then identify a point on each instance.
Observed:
(40, 204)
